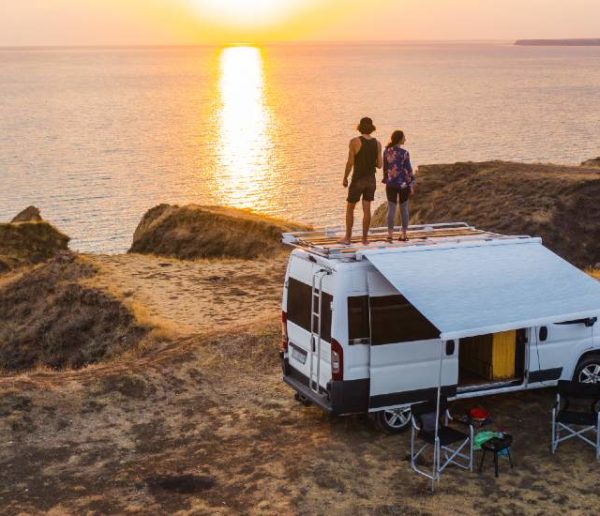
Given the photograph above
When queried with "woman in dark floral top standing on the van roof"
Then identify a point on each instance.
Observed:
(400, 182)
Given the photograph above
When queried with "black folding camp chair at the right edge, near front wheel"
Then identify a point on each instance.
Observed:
(580, 420)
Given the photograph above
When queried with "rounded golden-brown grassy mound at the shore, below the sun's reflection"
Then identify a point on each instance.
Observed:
(190, 232)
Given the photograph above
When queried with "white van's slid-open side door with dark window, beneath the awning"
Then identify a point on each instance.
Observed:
(405, 351)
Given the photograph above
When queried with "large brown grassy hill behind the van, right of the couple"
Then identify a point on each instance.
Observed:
(558, 203)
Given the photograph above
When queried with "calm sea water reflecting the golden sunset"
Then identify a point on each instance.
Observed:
(95, 137)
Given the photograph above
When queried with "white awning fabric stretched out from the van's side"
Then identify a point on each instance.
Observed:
(475, 288)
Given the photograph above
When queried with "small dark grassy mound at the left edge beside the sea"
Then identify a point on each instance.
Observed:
(24, 243)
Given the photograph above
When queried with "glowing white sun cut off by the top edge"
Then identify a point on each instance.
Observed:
(247, 13)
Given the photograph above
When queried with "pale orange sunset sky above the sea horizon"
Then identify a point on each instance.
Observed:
(147, 22)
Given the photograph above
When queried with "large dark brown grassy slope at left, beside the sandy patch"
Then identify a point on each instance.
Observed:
(48, 317)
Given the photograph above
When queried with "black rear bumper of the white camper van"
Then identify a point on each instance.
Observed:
(340, 398)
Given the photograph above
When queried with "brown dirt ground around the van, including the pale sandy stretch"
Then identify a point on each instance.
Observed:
(202, 424)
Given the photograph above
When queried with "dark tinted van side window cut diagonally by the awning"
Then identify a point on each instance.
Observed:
(394, 319)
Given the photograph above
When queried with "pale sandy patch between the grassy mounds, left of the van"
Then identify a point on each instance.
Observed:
(195, 296)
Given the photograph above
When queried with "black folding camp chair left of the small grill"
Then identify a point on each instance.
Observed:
(449, 442)
